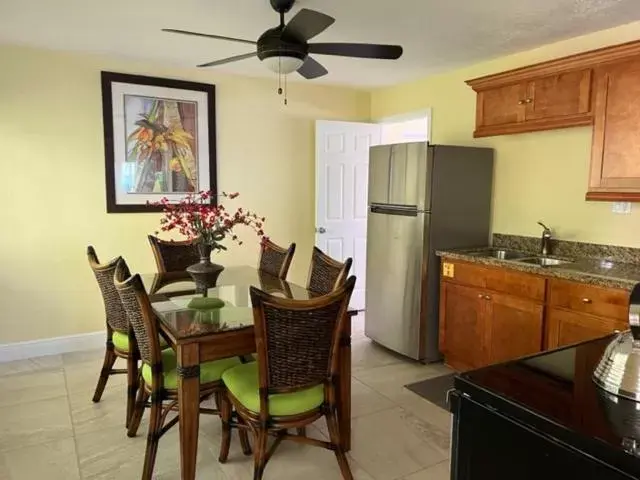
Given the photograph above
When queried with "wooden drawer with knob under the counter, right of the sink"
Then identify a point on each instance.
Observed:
(604, 302)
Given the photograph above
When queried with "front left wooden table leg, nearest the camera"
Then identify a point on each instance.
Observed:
(189, 407)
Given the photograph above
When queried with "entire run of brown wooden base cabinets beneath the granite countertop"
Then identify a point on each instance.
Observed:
(491, 314)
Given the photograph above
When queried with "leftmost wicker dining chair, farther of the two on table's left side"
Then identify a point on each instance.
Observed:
(118, 345)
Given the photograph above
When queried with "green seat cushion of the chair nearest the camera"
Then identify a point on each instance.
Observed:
(242, 382)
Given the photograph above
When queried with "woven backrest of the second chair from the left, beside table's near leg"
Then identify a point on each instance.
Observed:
(140, 315)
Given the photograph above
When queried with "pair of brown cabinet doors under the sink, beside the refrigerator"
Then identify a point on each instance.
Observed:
(479, 327)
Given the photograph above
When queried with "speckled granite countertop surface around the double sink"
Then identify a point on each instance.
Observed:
(600, 272)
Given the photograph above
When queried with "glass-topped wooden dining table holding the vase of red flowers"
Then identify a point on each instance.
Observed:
(201, 335)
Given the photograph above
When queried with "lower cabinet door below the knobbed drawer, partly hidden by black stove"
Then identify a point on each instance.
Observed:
(565, 327)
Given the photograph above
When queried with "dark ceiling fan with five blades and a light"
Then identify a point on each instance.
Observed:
(285, 48)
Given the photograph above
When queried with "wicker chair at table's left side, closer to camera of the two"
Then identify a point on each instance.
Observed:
(158, 375)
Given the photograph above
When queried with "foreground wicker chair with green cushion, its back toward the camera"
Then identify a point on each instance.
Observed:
(294, 381)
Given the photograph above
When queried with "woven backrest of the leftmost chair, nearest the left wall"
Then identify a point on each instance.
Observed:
(114, 312)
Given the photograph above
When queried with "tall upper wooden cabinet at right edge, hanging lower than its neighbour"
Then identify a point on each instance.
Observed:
(615, 169)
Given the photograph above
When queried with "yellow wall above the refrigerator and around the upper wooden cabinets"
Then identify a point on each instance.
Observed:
(538, 176)
